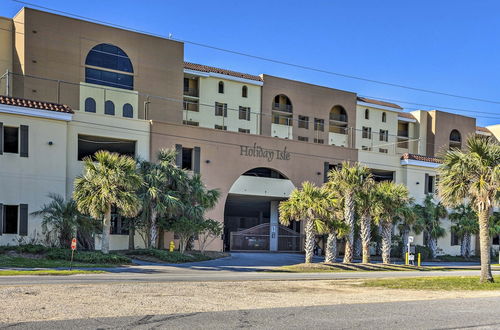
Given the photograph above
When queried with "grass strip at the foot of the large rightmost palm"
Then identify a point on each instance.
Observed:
(434, 283)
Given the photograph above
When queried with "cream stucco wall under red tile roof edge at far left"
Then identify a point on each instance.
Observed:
(28, 180)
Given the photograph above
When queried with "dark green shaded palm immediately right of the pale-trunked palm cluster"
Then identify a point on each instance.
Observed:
(429, 216)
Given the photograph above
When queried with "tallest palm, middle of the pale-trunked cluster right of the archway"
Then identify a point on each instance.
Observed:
(348, 180)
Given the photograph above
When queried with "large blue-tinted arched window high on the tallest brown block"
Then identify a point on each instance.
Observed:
(109, 65)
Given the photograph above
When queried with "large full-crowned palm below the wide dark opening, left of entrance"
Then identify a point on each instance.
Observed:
(109, 180)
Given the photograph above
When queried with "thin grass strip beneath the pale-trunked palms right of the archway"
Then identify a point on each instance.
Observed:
(341, 267)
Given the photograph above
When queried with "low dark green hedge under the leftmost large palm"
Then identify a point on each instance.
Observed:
(93, 257)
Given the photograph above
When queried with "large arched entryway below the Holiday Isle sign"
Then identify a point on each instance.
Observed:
(251, 213)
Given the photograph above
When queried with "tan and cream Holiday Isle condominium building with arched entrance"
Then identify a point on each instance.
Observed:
(253, 137)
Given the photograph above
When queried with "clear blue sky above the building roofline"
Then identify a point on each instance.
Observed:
(447, 46)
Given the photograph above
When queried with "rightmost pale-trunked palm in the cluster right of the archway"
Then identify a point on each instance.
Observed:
(393, 199)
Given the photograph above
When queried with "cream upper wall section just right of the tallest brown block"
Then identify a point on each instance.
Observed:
(208, 95)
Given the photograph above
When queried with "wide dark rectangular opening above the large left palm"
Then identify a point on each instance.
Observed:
(88, 145)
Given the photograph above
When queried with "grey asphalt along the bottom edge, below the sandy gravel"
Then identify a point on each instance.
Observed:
(471, 313)
